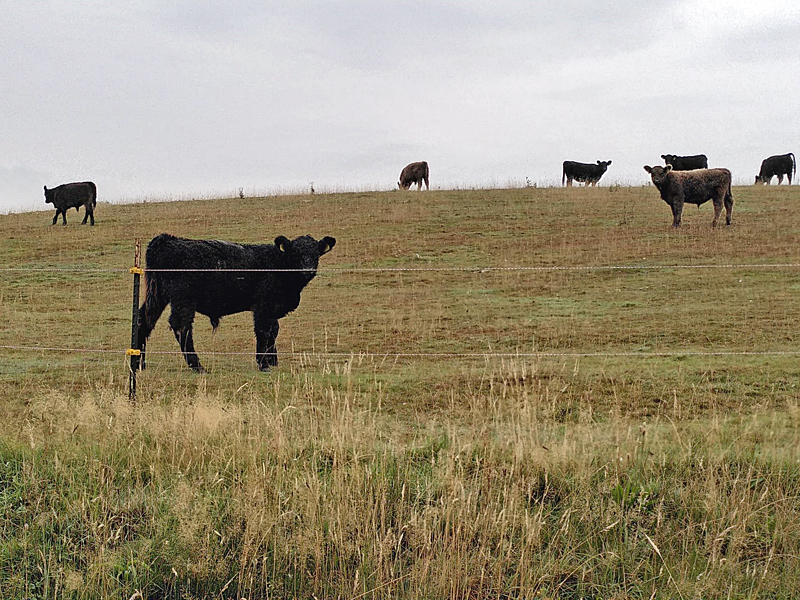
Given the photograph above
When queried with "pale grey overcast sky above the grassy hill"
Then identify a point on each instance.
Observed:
(174, 99)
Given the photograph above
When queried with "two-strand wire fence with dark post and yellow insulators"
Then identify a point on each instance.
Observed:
(137, 271)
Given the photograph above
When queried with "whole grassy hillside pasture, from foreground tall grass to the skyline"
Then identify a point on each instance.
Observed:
(437, 427)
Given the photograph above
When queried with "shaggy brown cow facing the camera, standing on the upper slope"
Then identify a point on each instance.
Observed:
(693, 187)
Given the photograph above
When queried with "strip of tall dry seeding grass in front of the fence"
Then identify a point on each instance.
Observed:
(318, 492)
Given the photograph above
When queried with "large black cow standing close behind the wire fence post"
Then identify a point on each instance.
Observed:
(215, 292)
